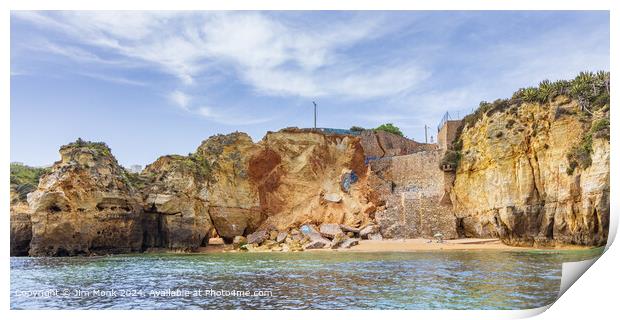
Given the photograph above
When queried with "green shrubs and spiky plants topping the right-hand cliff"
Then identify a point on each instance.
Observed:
(591, 90)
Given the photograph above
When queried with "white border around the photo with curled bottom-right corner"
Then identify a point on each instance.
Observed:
(592, 298)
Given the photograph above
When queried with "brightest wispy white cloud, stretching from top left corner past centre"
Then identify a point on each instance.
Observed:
(272, 57)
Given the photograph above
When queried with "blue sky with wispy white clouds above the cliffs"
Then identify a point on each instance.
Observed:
(155, 83)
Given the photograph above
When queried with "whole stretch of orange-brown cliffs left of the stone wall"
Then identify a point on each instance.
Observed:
(229, 187)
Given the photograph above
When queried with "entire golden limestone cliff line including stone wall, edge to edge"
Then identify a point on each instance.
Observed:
(531, 170)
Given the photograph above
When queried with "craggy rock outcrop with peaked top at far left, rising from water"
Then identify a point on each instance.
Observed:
(85, 205)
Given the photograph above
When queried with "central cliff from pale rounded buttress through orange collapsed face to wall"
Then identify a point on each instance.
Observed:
(289, 178)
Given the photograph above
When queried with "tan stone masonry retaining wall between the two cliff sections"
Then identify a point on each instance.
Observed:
(413, 205)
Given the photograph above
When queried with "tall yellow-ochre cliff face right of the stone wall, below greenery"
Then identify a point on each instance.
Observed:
(512, 181)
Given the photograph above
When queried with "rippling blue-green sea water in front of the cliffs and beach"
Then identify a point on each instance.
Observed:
(301, 280)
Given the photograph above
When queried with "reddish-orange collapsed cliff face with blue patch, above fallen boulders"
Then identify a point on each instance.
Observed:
(308, 177)
